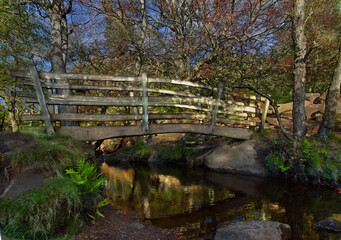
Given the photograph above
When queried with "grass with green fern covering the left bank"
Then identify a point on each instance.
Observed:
(62, 205)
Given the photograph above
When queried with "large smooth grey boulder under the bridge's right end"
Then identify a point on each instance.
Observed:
(241, 158)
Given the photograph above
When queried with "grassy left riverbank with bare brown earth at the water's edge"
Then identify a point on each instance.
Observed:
(31, 182)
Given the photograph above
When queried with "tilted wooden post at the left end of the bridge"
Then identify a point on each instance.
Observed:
(41, 99)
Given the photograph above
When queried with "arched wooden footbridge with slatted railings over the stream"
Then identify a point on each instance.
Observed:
(132, 106)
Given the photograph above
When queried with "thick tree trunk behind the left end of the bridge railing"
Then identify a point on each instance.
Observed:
(59, 47)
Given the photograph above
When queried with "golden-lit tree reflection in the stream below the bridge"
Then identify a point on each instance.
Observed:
(157, 195)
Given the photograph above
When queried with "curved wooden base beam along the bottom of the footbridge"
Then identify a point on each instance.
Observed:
(99, 133)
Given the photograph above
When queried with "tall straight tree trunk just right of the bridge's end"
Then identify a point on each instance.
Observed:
(300, 41)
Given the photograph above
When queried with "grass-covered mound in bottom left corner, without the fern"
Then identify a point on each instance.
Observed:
(43, 212)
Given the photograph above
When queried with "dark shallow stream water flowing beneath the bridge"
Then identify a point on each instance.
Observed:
(196, 201)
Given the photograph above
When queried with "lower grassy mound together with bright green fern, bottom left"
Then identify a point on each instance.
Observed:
(59, 206)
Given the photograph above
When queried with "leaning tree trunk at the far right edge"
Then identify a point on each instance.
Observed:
(331, 102)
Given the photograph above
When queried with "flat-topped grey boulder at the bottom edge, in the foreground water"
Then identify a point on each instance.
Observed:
(255, 230)
